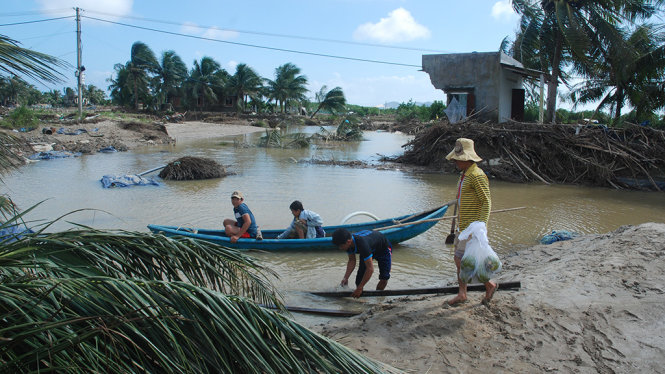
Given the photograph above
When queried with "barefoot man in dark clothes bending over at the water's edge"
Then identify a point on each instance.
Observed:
(368, 245)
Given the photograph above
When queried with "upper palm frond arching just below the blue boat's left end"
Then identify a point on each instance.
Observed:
(125, 255)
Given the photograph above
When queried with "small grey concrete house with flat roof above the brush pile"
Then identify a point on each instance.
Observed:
(487, 84)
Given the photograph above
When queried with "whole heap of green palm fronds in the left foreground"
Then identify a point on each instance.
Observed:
(124, 302)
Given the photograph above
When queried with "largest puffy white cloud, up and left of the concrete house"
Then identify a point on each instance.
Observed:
(400, 26)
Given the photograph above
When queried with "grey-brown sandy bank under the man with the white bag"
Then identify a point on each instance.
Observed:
(594, 304)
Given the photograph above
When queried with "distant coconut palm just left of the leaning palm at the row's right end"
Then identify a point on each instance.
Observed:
(288, 85)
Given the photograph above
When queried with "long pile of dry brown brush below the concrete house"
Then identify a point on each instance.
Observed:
(631, 157)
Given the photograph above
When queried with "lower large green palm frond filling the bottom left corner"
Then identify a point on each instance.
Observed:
(101, 324)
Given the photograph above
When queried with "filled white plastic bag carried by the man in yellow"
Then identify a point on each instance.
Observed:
(479, 260)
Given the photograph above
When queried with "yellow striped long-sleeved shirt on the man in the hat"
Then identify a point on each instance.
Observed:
(474, 199)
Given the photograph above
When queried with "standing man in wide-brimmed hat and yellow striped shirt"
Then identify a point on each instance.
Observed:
(474, 203)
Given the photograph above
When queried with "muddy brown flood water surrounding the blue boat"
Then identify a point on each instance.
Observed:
(271, 179)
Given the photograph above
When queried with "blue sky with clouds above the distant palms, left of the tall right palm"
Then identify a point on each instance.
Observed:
(372, 49)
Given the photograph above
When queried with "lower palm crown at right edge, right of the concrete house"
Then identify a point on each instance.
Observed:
(629, 70)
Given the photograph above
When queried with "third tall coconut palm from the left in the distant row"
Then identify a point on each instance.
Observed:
(205, 78)
